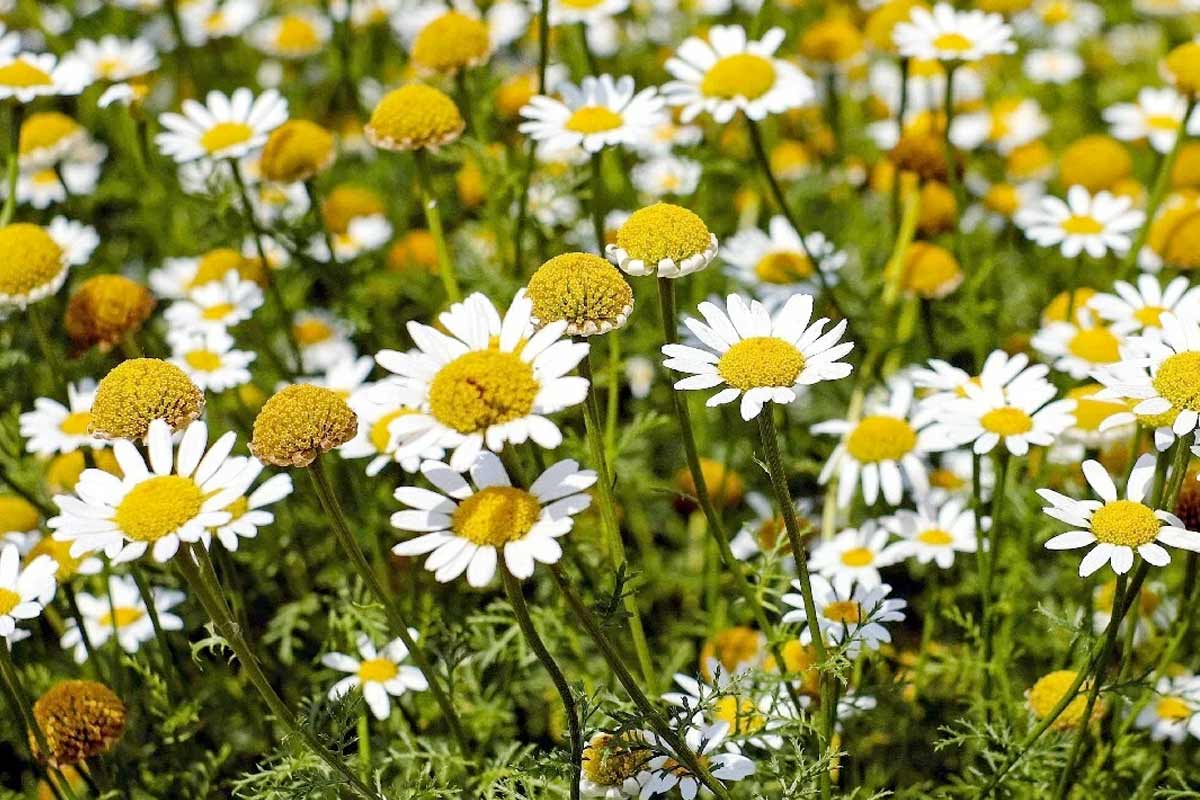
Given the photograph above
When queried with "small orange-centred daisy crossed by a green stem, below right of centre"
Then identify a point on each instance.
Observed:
(851, 618)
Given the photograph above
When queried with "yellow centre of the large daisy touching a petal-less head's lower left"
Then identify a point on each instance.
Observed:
(482, 389)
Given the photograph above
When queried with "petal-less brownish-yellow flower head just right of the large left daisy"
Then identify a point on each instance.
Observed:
(299, 423)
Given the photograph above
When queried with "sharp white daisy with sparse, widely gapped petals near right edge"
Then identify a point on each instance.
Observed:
(1117, 528)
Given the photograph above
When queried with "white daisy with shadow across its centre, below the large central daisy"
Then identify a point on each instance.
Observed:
(471, 527)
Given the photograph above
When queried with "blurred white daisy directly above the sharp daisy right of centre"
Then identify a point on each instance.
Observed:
(777, 264)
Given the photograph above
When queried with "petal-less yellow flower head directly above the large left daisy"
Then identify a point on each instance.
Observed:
(139, 392)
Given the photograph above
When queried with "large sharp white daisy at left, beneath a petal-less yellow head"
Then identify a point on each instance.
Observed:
(175, 500)
